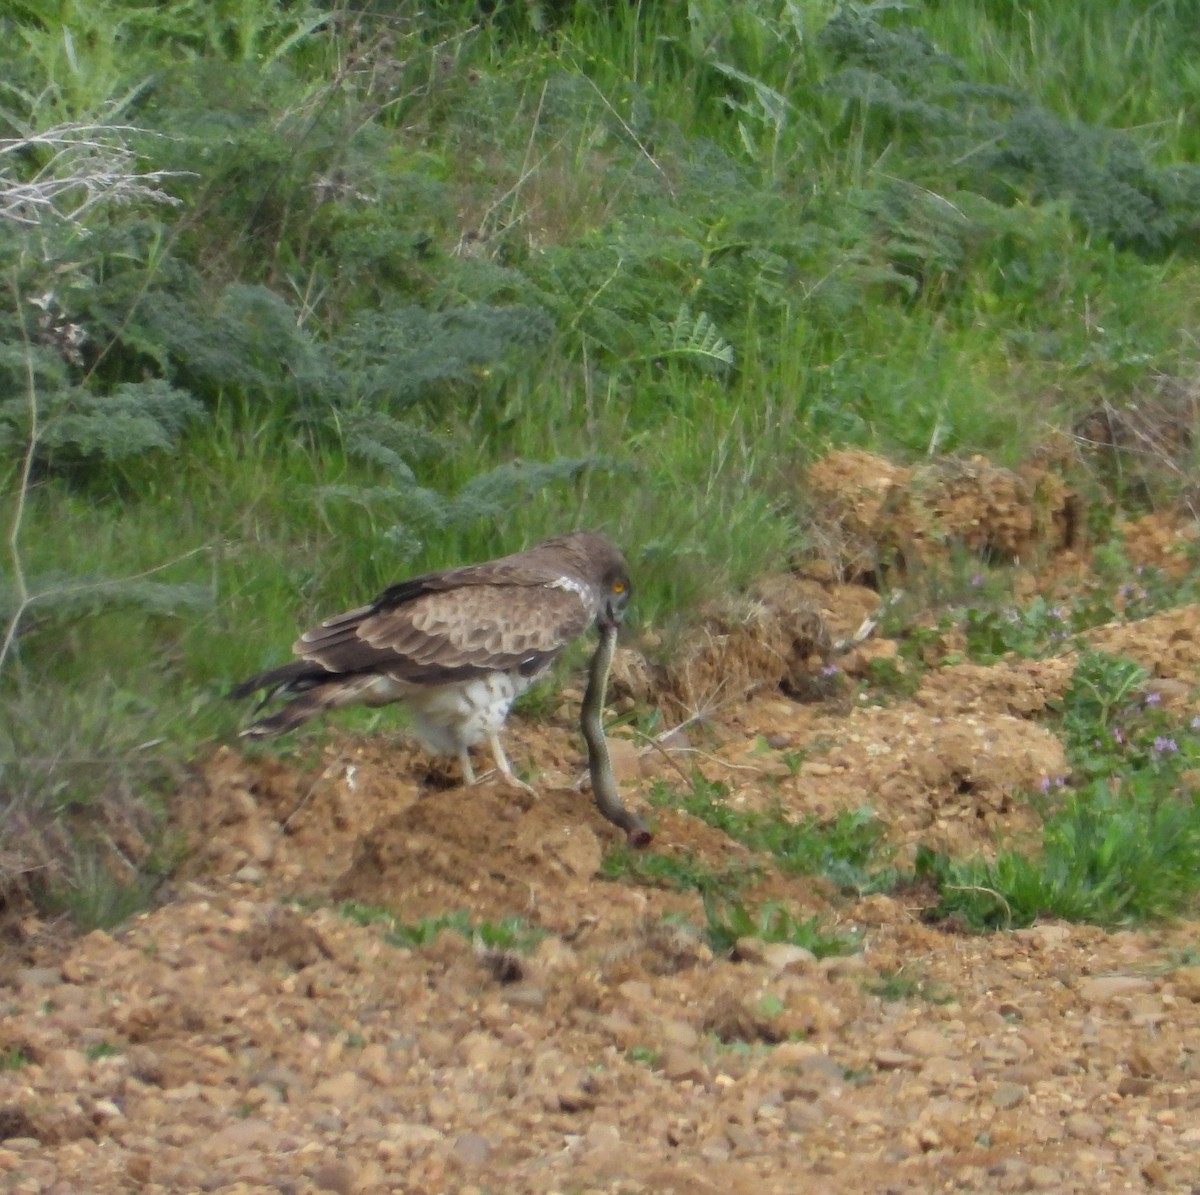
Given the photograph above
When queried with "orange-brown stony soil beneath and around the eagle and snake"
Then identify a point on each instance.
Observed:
(248, 1036)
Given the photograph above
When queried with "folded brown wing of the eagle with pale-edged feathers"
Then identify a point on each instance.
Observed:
(424, 634)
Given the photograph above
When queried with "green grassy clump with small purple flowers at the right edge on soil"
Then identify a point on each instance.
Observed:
(1123, 843)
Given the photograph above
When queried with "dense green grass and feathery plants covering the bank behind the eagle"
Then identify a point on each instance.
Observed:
(301, 298)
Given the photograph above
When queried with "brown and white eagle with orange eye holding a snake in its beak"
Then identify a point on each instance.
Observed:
(458, 647)
